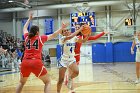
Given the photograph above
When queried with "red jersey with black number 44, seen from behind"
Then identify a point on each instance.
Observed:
(33, 46)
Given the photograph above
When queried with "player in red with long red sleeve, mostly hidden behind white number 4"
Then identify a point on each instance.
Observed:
(79, 44)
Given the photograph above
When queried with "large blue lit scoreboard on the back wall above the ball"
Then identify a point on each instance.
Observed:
(86, 17)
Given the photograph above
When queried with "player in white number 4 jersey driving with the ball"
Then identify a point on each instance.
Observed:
(68, 41)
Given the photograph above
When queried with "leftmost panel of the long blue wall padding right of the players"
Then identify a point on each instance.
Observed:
(98, 52)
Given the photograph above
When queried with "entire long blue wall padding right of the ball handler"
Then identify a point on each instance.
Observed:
(109, 52)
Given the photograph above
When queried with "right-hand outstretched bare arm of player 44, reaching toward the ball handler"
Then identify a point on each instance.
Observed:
(52, 36)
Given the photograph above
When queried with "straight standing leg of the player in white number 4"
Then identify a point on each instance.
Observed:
(62, 71)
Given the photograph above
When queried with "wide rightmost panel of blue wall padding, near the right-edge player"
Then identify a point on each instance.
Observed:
(122, 53)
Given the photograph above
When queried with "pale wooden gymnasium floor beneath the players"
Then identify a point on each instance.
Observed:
(93, 78)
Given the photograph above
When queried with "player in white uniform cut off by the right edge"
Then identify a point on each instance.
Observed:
(136, 43)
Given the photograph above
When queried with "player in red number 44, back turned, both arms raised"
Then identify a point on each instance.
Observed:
(32, 62)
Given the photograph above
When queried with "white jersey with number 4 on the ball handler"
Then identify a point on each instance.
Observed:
(68, 46)
